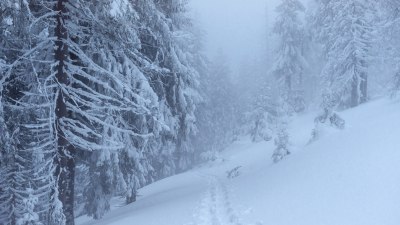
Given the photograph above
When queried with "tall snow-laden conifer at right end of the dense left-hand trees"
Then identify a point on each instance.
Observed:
(166, 41)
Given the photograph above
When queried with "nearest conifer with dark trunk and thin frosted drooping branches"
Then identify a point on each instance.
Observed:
(88, 77)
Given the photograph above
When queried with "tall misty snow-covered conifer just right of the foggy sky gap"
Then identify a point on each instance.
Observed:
(290, 63)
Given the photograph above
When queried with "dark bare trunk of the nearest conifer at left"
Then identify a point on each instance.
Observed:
(65, 160)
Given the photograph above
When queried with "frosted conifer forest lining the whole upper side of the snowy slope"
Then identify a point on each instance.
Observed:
(99, 98)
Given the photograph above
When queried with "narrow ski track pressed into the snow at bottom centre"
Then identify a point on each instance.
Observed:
(216, 206)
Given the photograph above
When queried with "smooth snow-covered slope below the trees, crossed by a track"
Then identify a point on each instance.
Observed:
(349, 177)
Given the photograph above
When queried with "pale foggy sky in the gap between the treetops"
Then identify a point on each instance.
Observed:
(236, 26)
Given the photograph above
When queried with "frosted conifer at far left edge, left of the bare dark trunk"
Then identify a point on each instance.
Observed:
(27, 159)
